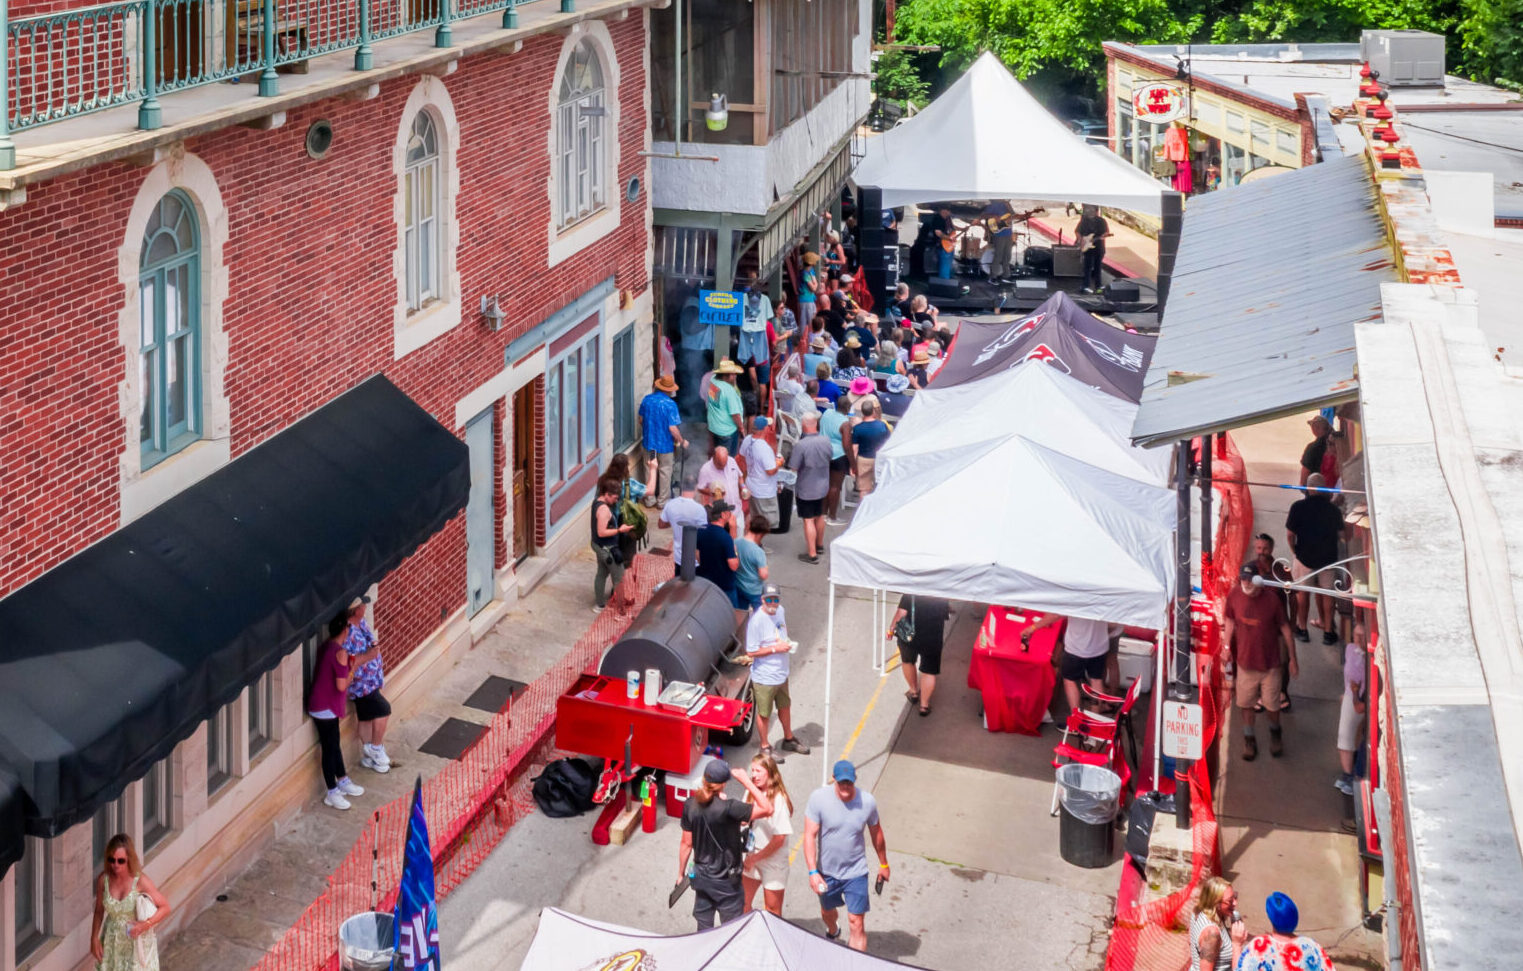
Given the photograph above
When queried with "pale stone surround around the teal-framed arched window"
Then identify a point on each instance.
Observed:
(145, 488)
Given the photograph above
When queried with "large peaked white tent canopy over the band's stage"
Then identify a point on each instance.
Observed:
(988, 139)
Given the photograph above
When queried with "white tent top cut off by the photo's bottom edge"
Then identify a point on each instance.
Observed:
(756, 943)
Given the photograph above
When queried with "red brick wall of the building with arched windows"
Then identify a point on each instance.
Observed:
(311, 298)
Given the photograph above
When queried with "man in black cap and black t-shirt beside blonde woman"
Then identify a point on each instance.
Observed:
(712, 839)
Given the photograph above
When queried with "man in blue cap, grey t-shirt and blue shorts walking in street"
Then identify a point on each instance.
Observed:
(837, 853)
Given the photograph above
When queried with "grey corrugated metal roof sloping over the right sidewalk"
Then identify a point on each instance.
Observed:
(1271, 279)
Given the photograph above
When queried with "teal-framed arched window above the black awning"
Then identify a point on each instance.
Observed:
(170, 346)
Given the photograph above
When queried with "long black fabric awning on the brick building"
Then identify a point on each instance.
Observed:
(117, 655)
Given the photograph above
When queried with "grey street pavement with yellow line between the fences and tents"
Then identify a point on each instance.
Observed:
(977, 876)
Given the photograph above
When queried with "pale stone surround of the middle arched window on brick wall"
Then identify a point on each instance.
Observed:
(441, 311)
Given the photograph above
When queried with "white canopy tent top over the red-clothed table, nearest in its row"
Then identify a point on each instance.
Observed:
(1015, 523)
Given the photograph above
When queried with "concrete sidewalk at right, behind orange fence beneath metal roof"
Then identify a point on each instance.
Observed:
(1283, 824)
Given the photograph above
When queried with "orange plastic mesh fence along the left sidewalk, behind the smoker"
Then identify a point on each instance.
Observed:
(471, 804)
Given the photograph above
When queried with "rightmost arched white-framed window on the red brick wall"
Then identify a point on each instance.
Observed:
(581, 151)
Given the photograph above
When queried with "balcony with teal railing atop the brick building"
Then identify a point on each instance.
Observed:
(71, 78)
